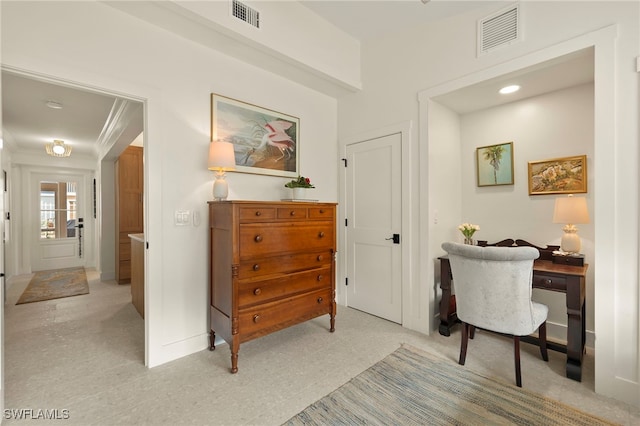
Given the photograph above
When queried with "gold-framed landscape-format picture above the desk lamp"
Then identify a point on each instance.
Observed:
(565, 175)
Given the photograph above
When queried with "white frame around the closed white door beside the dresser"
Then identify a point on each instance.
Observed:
(410, 311)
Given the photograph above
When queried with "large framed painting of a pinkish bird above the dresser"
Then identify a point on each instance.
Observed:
(265, 142)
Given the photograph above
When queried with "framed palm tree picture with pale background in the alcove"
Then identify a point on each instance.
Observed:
(494, 164)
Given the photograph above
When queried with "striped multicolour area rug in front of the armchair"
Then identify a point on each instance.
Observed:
(413, 387)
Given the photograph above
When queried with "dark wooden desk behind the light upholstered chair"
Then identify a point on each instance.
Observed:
(548, 276)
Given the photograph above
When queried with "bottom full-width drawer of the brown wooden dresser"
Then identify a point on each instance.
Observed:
(262, 319)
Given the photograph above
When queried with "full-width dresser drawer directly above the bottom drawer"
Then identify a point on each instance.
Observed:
(253, 292)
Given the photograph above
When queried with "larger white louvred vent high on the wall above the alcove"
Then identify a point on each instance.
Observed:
(499, 30)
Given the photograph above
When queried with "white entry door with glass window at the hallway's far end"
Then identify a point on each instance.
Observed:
(59, 224)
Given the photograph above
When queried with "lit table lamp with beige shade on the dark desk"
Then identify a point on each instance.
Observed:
(570, 210)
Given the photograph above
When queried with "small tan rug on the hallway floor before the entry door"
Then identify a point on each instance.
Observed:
(55, 284)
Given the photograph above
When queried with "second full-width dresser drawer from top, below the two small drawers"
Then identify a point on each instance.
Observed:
(259, 267)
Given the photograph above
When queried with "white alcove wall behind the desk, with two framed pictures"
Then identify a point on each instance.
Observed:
(557, 124)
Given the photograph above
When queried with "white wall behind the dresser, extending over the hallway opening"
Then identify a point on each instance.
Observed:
(98, 46)
